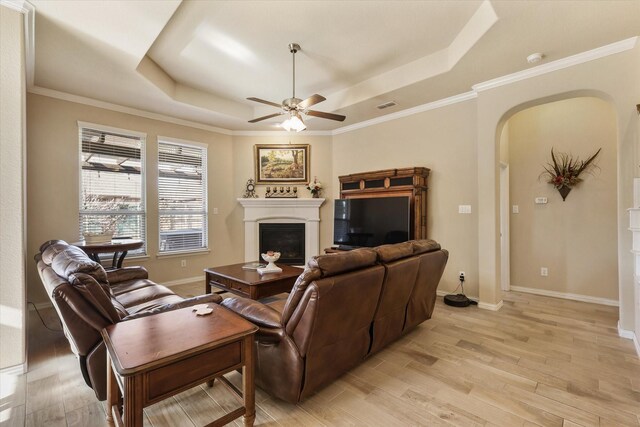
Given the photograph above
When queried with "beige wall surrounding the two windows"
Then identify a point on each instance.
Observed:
(53, 182)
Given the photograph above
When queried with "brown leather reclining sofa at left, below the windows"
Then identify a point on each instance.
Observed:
(88, 298)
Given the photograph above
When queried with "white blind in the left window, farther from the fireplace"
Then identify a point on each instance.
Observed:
(112, 183)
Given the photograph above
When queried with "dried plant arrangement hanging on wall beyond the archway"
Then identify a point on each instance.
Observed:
(564, 171)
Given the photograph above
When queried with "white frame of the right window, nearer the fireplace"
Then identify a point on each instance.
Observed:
(205, 173)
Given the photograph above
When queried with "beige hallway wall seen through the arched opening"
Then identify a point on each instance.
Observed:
(571, 236)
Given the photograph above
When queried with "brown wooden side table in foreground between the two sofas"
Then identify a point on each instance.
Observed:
(156, 357)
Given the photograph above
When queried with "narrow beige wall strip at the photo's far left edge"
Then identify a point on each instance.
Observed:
(12, 226)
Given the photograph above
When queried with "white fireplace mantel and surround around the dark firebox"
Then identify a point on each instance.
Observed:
(278, 211)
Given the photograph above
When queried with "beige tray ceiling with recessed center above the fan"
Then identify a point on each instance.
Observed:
(200, 60)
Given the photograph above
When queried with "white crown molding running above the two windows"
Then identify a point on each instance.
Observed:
(37, 90)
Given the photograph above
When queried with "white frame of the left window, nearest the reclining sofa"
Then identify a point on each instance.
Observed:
(142, 136)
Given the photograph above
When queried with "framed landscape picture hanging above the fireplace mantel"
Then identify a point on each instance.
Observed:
(282, 164)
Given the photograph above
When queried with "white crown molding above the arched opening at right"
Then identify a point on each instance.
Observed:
(559, 64)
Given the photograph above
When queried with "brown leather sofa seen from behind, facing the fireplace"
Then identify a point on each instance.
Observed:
(343, 308)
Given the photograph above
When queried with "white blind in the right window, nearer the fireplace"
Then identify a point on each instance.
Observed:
(182, 196)
